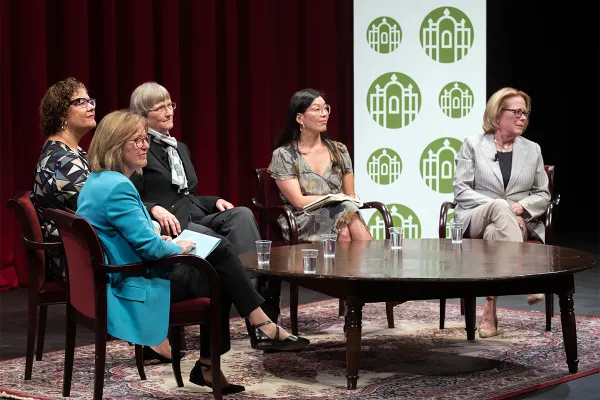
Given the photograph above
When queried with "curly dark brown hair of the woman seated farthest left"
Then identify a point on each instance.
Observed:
(55, 104)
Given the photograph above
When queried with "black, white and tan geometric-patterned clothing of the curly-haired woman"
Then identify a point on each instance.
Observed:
(59, 176)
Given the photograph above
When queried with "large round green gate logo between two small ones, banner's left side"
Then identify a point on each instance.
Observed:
(394, 100)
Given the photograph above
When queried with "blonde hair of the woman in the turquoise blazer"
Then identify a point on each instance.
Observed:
(115, 129)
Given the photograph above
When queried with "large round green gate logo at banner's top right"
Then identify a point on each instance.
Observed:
(446, 34)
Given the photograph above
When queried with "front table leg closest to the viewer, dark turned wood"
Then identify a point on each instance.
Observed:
(354, 326)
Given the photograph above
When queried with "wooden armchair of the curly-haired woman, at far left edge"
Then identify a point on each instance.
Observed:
(42, 293)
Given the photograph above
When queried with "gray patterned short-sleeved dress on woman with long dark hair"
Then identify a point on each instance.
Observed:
(287, 163)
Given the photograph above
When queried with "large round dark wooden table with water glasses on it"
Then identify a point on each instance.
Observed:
(369, 271)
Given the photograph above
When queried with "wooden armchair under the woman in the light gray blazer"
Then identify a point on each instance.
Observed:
(546, 218)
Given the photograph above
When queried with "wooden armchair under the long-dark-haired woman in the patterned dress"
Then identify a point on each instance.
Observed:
(270, 206)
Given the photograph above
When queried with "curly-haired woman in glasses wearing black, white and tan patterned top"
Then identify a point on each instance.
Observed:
(67, 114)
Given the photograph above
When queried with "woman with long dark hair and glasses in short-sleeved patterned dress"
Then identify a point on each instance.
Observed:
(307, 166)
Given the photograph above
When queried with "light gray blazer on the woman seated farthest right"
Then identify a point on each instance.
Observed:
(478, 180)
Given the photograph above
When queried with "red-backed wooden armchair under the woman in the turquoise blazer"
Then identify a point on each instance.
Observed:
(86, 301)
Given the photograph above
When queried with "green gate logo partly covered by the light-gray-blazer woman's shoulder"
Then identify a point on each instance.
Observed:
(437, 164)
